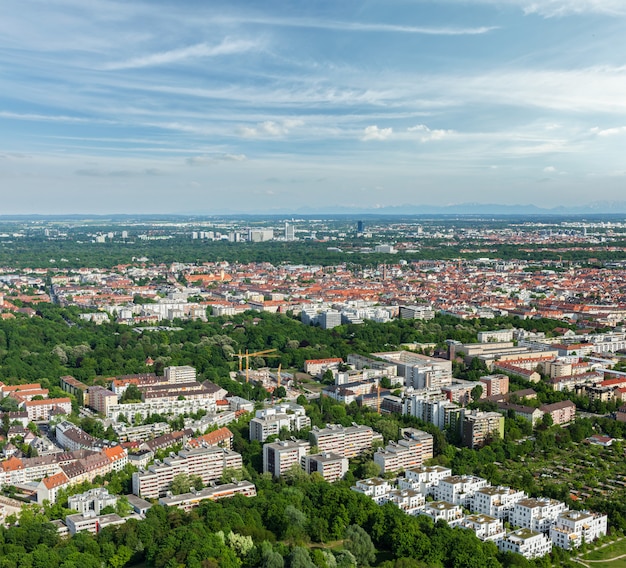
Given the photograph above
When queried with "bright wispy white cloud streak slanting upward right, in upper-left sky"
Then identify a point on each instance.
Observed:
(227, 47)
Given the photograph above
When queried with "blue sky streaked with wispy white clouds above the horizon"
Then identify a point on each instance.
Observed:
(224, 106)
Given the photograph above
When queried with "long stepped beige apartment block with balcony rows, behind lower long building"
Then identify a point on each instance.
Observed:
(208, 463)
